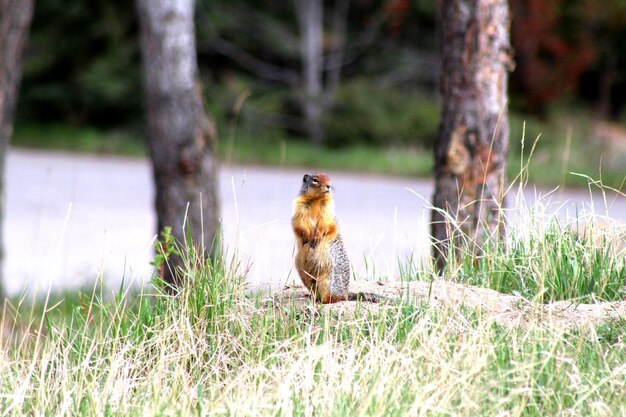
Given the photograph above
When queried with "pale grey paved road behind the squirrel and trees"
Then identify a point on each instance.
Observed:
(71, 219)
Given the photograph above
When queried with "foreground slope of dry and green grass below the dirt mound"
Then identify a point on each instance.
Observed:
(163, 357)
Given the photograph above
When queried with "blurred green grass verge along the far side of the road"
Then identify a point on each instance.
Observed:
(562, 153)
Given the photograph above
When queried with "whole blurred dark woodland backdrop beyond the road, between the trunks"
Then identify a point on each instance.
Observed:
(82, 74)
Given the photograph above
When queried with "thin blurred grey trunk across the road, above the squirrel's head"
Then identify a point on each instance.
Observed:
(311, 22)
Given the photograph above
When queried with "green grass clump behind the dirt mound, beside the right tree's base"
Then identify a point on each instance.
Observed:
(560, 264)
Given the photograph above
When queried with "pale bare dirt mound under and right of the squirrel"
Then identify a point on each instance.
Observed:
(508, 310)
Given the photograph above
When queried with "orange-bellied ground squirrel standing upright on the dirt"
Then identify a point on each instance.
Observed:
(321, 259)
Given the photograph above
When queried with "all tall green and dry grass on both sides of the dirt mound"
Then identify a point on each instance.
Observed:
(216, 349)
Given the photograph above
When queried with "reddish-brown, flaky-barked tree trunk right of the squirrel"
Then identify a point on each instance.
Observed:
(470, 153)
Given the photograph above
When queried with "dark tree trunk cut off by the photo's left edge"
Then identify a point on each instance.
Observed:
(14, 25)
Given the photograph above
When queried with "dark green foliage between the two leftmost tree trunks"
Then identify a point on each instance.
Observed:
(82, 65)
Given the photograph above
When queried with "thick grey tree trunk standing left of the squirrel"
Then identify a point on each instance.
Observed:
(181, 137)
